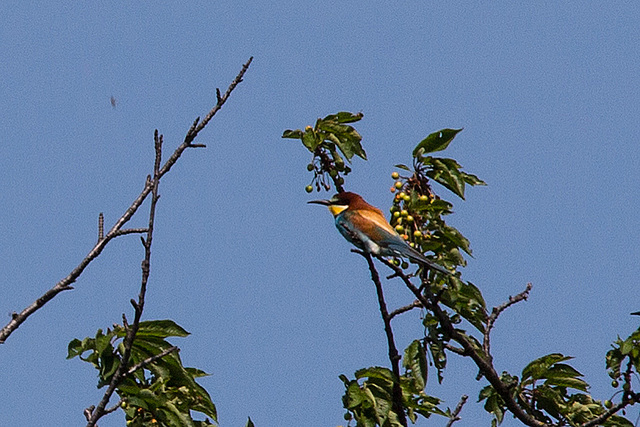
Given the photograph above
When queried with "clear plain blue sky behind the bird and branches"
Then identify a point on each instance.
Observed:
(277, 306)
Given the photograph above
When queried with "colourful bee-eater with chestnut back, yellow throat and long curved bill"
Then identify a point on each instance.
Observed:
(365, 226)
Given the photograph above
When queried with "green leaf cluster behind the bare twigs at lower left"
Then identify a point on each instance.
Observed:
(162, 392)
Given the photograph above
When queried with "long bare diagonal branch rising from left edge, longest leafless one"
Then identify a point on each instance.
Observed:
(65, 284)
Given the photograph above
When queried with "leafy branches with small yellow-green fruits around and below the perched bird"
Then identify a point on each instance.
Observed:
(547, 392)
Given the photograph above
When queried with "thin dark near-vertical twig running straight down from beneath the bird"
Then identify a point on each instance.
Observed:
(394, 357)
